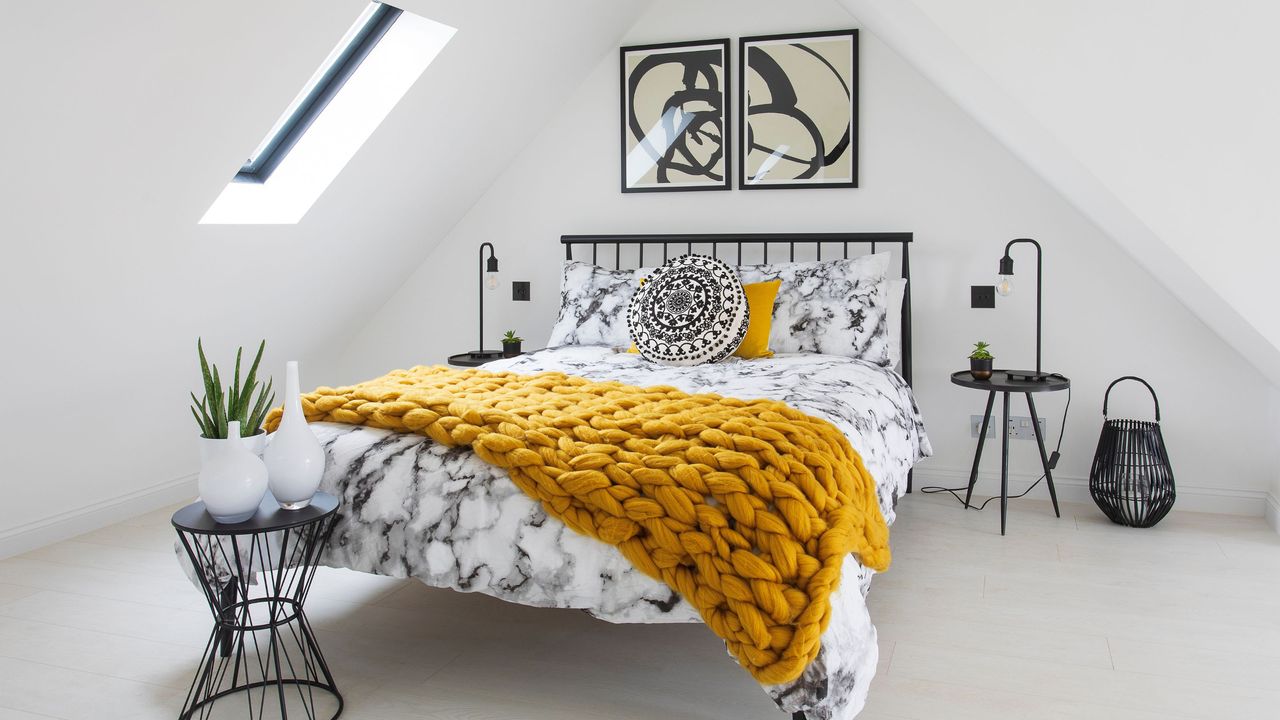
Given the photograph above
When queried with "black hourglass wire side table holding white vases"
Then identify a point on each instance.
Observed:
(257, 576)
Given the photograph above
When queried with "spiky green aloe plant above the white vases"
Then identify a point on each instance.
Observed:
(246, 403)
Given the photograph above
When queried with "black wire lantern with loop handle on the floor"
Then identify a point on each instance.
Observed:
(1132, 481)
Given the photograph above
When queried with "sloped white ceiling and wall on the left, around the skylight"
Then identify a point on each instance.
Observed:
(121, 124)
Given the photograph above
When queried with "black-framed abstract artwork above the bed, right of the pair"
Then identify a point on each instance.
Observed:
(799, 111)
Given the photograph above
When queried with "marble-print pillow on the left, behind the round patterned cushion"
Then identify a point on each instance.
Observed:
(593, 307)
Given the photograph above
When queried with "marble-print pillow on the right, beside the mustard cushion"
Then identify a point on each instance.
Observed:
(834, 308)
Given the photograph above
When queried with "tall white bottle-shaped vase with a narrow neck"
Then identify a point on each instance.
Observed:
(295, 461)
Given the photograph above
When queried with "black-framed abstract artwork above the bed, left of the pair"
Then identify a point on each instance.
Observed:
(675, 117)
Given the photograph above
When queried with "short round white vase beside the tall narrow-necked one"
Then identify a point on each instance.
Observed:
(232, 480)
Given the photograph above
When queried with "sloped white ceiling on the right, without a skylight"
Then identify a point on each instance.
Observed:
(1158, 120)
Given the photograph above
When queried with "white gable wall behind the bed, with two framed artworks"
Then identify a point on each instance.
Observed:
(927, 168)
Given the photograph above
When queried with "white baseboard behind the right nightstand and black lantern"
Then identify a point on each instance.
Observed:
(1194, 499)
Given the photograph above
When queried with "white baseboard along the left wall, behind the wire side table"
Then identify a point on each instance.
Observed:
(39, 534)
